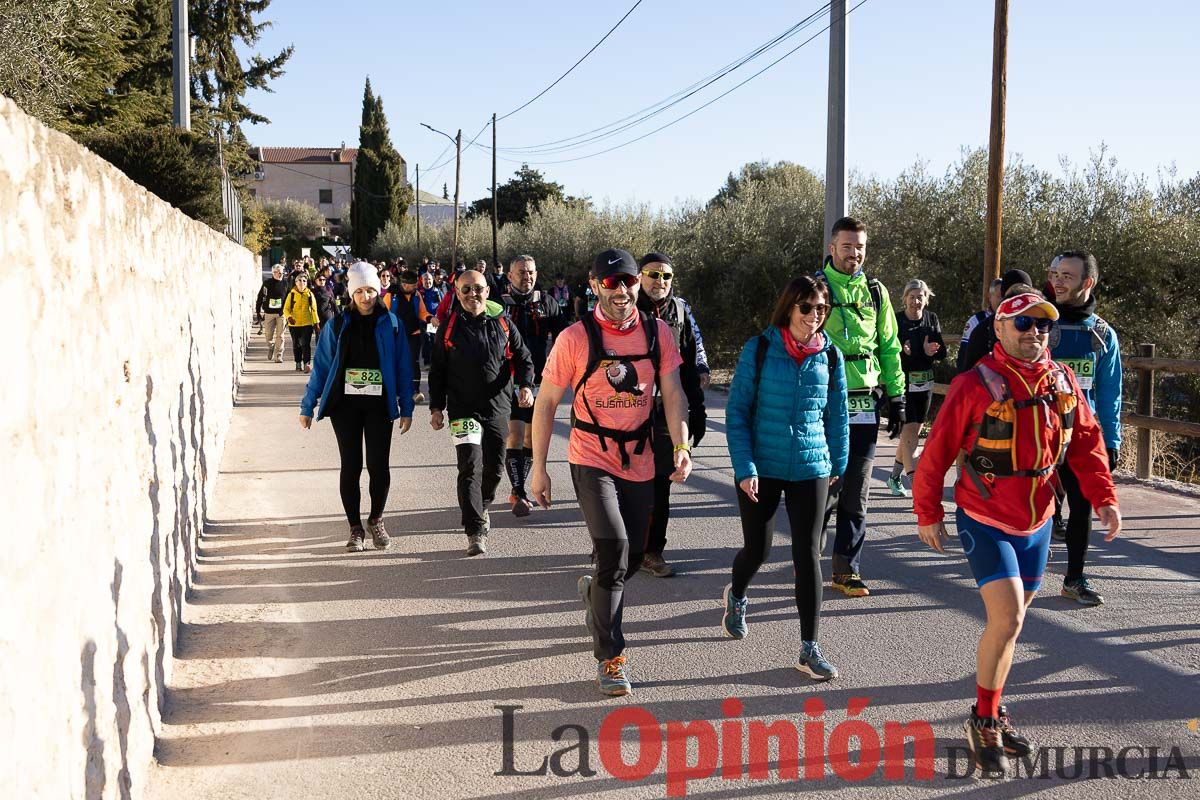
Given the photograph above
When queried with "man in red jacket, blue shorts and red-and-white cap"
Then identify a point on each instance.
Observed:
(1017, 416)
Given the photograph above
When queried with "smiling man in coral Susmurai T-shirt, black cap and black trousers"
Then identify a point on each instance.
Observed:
(613, 359)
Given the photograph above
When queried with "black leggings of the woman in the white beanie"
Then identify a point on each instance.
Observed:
(352, 426)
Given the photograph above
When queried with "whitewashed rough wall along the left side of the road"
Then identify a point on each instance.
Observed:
(125, 339)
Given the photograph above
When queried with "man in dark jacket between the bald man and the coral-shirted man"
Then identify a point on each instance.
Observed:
(533, 312)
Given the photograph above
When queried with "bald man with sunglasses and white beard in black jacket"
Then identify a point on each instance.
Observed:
(477, 356)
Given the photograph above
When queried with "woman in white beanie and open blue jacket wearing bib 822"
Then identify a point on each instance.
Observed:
(362, 376)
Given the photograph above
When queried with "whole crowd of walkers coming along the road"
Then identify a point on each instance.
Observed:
(1031, 419)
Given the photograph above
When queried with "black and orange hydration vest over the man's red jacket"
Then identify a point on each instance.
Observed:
(994, 453)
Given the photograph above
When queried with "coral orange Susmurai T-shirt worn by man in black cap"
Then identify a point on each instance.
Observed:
(620, 393)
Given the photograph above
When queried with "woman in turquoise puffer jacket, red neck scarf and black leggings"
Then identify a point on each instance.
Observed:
(788, 431)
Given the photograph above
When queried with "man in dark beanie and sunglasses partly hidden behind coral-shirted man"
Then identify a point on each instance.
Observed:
(658, 300)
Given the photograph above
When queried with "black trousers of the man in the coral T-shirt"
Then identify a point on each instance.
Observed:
(617, 515)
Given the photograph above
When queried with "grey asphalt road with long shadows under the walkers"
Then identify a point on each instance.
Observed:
(308, 672)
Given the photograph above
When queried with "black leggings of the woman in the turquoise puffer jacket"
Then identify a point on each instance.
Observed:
(806, 503)
